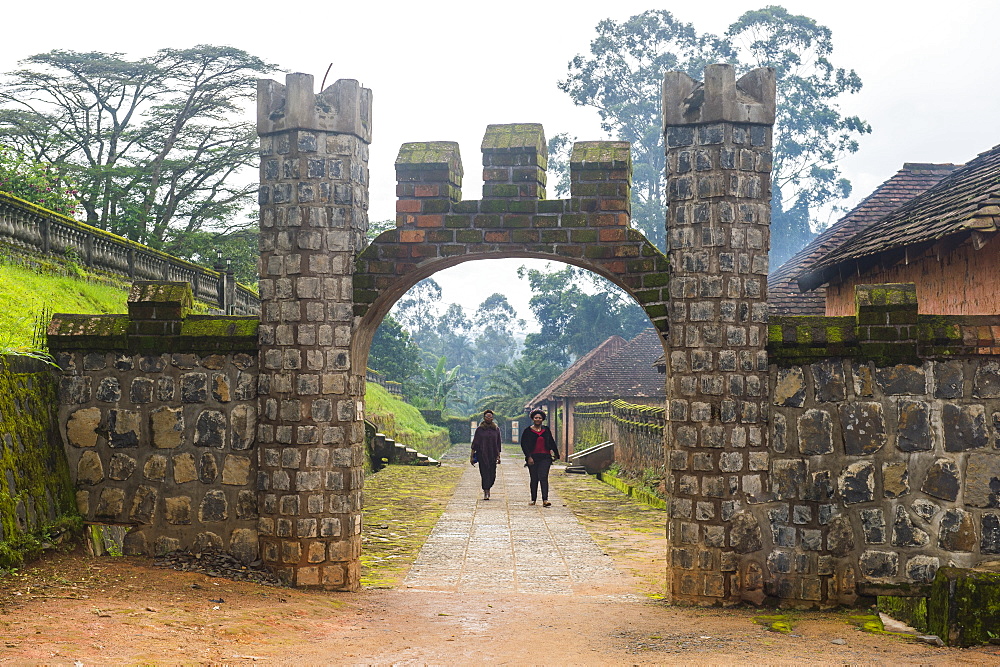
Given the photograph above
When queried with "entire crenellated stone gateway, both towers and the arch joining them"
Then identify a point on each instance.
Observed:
(324, 290)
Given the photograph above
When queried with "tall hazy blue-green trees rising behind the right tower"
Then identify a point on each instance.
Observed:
(621, 78)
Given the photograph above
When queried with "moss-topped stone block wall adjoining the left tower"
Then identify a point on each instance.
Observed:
(157, 413)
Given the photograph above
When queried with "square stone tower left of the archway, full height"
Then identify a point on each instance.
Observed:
(310, 434)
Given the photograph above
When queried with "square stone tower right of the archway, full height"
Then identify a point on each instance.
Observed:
(718, 146)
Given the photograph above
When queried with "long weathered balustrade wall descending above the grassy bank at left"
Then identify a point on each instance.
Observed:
(36, 229)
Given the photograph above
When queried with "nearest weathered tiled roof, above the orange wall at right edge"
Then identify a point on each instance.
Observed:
(964, 202)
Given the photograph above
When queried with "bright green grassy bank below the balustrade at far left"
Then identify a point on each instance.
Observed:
(25, 294)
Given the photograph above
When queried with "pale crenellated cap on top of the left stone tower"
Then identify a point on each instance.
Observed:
(343, 107)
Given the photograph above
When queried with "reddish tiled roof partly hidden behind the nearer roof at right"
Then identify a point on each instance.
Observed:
(784, 296)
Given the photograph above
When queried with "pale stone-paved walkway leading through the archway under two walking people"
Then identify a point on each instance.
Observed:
(505, 545)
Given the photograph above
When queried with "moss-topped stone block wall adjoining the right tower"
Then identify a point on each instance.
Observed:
(885, 448)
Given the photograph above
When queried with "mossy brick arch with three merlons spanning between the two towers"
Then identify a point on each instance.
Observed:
(436, 229)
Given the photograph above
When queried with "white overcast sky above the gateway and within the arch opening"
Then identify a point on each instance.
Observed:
(445, 70)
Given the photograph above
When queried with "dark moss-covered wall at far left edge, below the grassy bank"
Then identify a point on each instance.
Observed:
(36, 492)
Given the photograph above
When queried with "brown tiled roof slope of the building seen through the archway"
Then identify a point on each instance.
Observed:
(629, 373)
